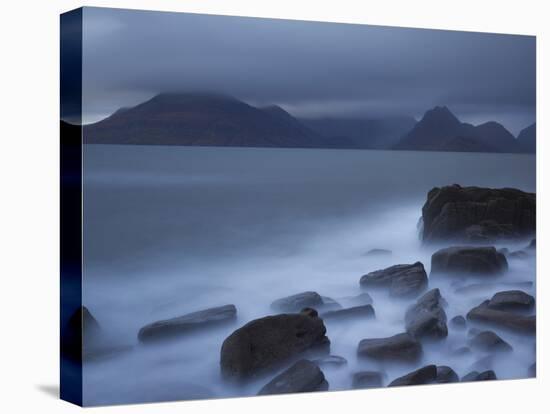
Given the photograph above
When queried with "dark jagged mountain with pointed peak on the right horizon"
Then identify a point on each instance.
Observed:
(440, 130)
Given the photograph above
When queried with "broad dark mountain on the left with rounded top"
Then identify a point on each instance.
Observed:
(203, 119)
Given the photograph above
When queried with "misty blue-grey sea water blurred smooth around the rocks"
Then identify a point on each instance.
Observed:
(172, 230)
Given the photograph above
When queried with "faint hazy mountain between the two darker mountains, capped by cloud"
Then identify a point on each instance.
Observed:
(381, 133)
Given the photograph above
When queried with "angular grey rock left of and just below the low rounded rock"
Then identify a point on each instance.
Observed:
(405, 280)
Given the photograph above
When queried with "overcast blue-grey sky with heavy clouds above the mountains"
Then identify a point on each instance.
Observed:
(311, 69)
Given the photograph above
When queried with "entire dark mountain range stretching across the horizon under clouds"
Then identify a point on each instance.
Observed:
(206, 119)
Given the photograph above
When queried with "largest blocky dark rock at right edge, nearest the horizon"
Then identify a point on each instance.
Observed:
(477, 214)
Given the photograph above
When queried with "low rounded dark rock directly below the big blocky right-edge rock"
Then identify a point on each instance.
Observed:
(460, 261)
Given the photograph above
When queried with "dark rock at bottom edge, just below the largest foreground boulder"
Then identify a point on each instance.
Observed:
(303, 376)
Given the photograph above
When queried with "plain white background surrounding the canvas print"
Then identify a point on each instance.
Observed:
(29, 194)
